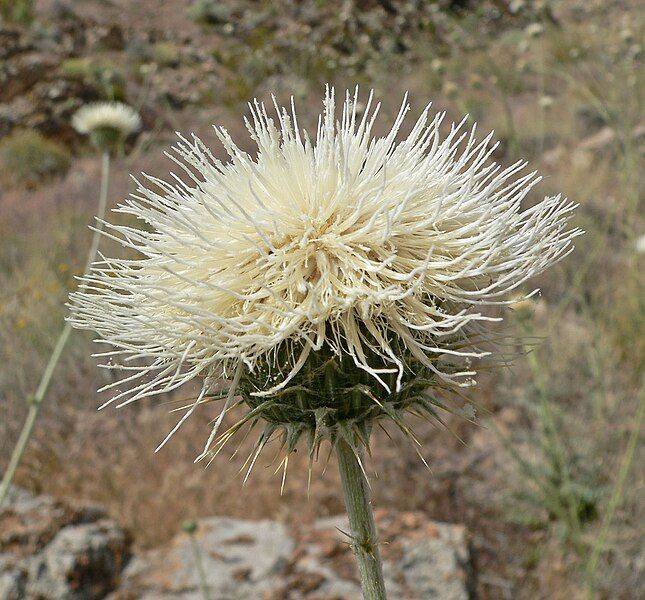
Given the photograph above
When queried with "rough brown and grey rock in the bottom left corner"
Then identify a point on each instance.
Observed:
(50, 550)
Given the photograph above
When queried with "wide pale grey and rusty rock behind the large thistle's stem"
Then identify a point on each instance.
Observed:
(246, 560)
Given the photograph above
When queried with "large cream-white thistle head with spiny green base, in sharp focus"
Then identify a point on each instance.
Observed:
(332, 278)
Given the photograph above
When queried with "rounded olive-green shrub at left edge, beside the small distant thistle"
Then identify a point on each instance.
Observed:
(27, 158)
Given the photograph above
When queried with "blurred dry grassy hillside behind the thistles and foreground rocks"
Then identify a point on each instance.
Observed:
(549, 483)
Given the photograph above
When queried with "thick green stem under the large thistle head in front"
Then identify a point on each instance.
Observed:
(361, 522)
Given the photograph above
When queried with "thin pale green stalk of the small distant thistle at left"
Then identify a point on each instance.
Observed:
(35, 402)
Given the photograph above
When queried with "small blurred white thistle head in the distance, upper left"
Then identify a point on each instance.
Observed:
(107, 123)
